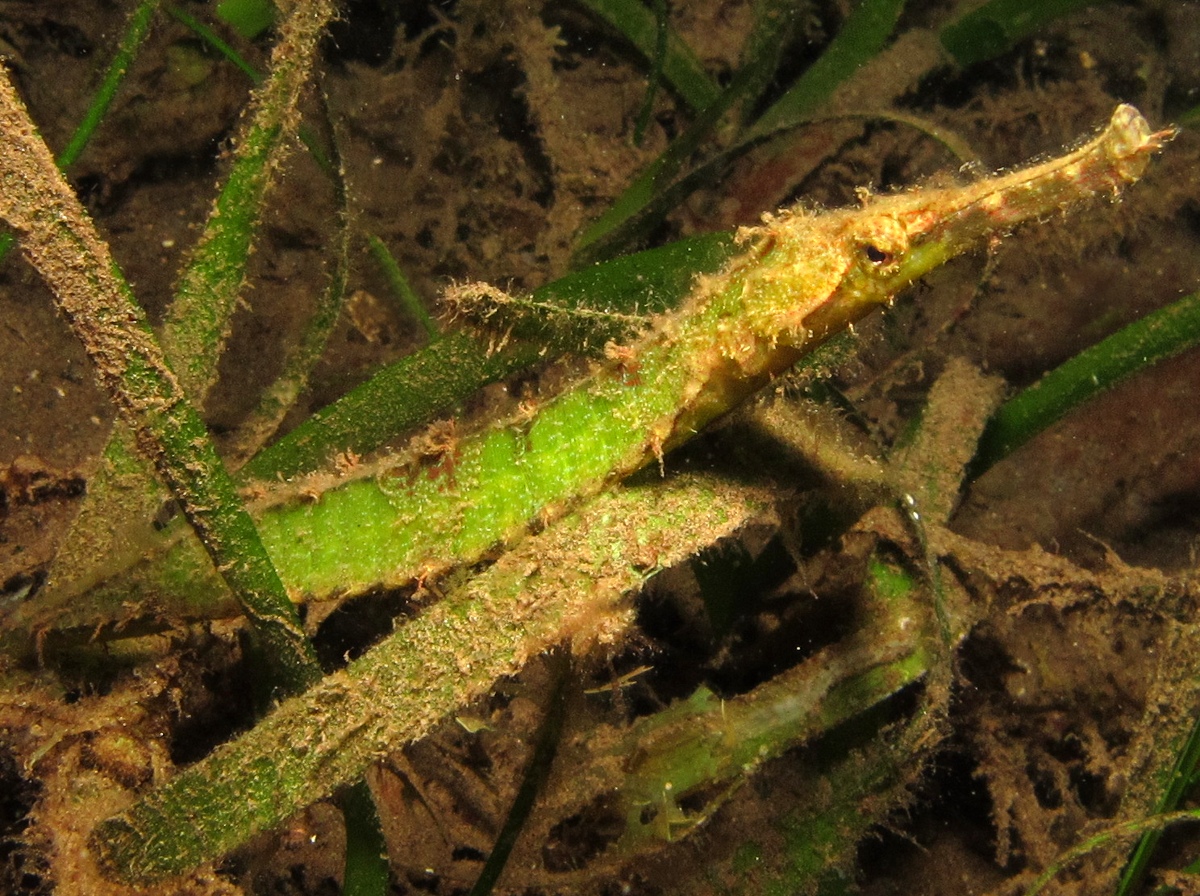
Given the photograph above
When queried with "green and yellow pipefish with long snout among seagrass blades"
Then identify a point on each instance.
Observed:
(800, 278)
